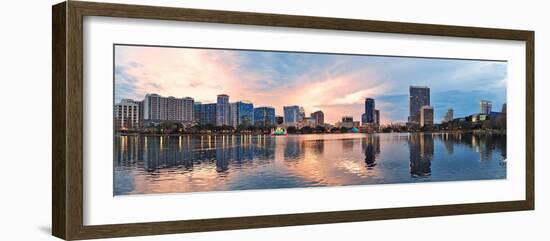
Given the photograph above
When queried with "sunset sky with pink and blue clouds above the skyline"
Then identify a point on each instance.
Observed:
(336, 84)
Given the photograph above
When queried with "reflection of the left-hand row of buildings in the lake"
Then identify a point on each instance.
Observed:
(185, 152)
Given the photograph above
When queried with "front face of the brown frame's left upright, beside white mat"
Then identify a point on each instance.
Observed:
(74, 123)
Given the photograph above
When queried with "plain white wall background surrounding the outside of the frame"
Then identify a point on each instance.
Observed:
(25, 120)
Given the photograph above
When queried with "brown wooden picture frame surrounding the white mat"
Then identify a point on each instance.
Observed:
(67, 100)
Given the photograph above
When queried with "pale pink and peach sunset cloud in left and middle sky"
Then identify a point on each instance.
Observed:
(203, 74)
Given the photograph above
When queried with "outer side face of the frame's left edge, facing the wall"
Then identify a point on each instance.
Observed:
(59, 177)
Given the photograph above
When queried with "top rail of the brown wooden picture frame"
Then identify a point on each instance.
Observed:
(293, 21)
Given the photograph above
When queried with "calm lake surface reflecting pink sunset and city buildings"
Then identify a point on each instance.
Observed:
(165, 164)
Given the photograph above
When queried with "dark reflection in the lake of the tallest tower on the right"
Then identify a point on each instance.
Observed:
(421, 150)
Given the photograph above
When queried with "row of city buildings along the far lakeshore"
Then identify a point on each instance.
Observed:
(154, 107)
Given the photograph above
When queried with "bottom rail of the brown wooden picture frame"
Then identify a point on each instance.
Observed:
(284, 220)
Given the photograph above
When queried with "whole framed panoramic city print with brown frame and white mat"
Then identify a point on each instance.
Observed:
(213, 120)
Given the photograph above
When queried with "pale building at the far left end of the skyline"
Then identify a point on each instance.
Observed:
(127, 114)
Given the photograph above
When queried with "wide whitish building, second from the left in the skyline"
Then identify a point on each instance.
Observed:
(158, 108)
